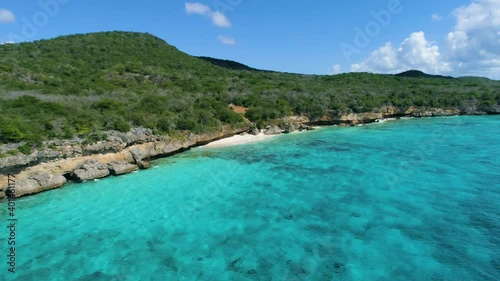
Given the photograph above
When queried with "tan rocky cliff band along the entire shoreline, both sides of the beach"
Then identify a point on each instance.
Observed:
(122, 153)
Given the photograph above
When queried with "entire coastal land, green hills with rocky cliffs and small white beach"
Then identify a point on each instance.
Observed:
(87, 106)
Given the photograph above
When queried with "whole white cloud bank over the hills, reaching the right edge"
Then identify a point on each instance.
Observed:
(471, 48)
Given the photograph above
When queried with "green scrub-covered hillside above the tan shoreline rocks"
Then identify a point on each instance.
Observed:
(83, 84)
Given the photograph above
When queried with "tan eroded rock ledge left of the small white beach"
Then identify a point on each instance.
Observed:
(119, 154)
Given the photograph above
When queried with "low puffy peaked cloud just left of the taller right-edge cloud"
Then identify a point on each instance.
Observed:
(414, 53)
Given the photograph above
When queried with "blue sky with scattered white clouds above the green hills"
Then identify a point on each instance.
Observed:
(454, 37)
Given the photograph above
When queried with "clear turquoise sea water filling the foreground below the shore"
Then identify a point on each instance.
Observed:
(406, 200)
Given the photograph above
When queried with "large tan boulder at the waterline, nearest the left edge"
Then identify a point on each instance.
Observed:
(38, 182)
